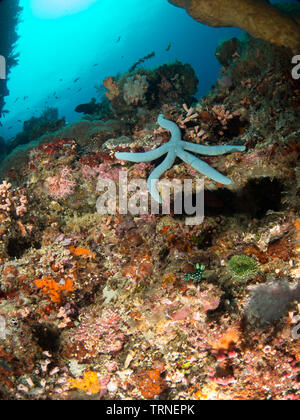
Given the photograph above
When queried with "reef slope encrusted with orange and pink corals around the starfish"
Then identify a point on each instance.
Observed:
(106, 306)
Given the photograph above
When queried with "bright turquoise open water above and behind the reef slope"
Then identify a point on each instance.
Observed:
(62, 40)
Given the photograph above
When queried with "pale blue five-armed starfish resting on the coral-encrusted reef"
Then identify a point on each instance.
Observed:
(177, 147)
